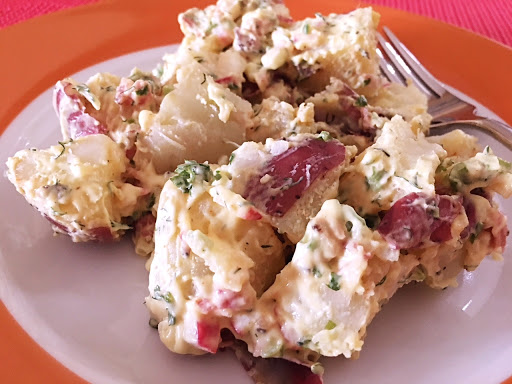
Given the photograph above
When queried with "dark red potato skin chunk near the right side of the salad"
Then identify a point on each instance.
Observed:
(416, 218)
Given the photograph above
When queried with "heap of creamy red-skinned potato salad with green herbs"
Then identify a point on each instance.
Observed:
(282, 189)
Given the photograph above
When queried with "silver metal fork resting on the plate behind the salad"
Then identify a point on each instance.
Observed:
(397, 63)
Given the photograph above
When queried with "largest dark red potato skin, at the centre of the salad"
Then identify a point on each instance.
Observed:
(291, 174)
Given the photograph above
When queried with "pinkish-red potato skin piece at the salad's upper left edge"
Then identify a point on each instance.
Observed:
(70, 108)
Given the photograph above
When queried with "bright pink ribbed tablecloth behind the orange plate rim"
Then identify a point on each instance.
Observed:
(491, 18)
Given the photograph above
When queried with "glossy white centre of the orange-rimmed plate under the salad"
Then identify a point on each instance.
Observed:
(83, 303)
